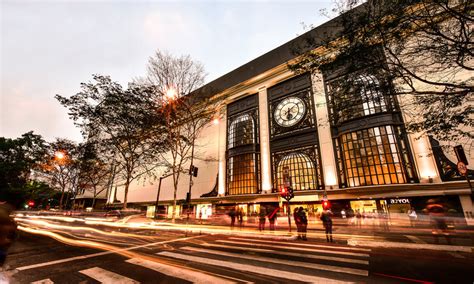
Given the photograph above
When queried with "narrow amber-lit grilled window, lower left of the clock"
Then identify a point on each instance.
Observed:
(243, 174)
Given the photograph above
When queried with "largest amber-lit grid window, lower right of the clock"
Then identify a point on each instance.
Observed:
(374, 156)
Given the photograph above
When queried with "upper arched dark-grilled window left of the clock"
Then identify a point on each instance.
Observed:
(241, 131)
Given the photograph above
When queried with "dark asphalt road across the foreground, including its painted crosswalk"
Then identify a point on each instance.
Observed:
(172, 257)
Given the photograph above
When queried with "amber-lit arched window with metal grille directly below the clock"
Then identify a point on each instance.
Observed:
(300, 166)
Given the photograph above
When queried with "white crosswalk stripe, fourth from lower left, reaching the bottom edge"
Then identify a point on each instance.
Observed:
(252, 268)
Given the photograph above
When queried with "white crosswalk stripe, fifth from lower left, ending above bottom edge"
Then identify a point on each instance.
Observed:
(282, 261)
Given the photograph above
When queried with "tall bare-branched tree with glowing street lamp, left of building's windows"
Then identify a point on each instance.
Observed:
(174, 80)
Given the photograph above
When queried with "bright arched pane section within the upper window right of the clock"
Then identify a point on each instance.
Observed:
(369, 88)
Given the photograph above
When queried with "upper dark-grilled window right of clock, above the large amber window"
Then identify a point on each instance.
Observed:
(357, 95)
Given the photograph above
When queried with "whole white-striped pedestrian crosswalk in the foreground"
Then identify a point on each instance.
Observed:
(242, 260)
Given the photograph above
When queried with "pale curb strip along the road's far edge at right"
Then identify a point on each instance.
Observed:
(450, 248)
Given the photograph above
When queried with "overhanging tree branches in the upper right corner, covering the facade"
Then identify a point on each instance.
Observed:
(427, 50)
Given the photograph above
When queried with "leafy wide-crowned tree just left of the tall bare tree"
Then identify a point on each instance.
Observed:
(124, 123)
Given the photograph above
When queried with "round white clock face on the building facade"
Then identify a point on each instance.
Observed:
(289, 111)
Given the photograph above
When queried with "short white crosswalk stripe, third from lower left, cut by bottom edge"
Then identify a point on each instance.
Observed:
(188, 275)
